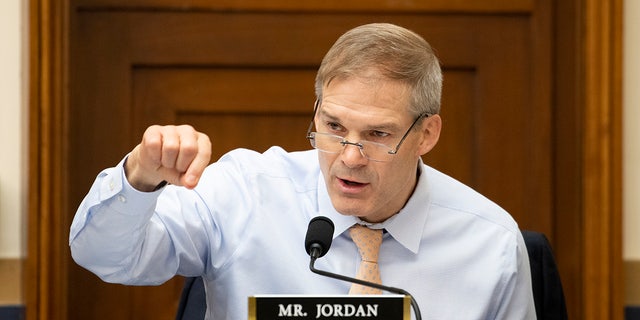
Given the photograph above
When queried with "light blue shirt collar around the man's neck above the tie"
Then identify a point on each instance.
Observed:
(406, 226)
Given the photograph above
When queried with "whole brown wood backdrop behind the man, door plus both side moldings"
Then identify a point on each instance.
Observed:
(530, 110)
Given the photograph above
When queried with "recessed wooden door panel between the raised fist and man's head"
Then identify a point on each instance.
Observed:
(245, 108)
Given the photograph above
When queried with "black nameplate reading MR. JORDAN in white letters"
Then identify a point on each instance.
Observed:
(302, 307)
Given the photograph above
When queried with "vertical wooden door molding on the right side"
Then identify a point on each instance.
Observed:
(602, 160)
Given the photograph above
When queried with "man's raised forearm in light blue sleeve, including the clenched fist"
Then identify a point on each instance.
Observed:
(117, 232)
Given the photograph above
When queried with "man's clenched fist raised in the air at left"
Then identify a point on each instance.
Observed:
(175, 154)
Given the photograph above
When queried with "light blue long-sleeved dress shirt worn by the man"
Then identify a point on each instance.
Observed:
(243, 227)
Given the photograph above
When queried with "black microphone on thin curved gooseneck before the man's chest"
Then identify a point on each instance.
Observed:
(318, 241)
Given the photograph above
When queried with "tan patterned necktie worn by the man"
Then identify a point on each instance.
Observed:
(368, 242)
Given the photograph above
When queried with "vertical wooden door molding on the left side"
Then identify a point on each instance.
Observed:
(45, 266)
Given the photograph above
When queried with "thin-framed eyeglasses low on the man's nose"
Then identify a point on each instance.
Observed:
(331, 143)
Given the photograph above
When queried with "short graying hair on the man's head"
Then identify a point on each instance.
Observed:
(396, 53)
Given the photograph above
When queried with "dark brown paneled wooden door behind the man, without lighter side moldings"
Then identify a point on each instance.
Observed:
(243, 73)
